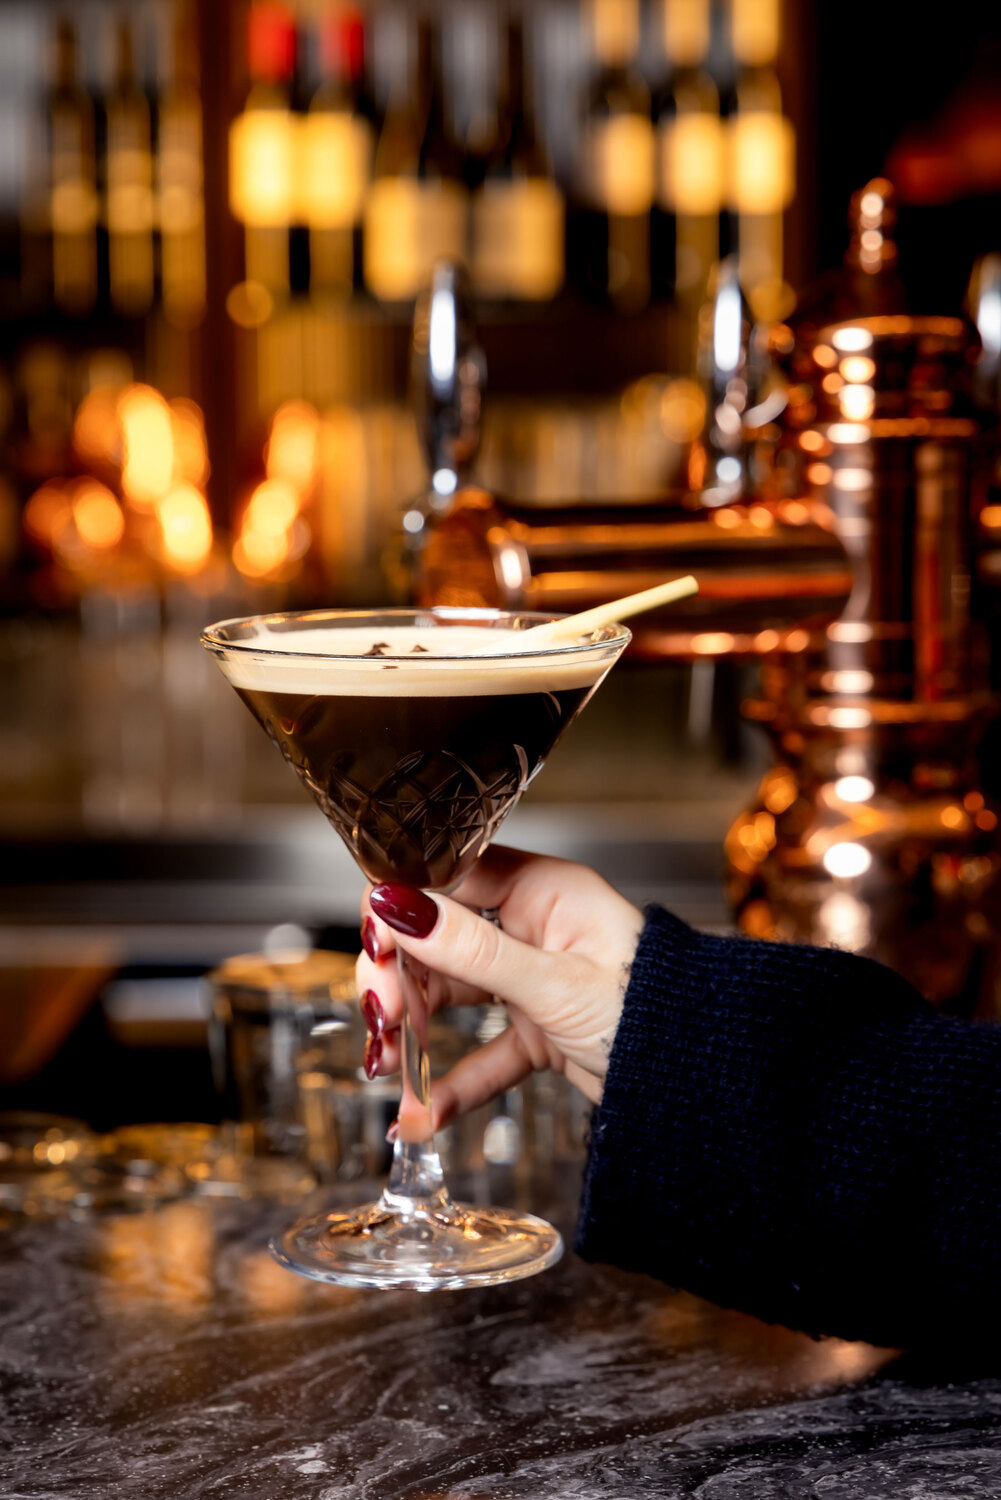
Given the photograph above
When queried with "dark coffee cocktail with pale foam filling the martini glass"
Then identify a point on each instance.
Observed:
(415, 742)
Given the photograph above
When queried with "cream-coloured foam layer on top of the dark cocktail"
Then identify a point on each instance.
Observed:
(334, 664)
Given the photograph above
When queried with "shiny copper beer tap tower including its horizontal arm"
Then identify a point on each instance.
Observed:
(850, 575)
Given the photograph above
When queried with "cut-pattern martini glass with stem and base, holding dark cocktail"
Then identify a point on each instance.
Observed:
(416, 733)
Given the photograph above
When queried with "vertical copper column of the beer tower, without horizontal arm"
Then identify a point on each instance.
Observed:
(874, 830)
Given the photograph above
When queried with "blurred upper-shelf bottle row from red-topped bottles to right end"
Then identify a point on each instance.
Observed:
(526, 140)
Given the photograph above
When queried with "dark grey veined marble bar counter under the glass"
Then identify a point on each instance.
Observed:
(164, 1357)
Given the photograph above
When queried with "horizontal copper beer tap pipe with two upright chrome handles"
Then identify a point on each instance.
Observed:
(765, 571)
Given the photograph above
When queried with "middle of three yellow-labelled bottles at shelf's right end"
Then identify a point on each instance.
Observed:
(691, 160)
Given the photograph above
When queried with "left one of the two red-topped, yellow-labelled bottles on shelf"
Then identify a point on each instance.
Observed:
(263, 148)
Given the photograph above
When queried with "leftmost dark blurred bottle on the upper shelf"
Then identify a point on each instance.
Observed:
(73, 181)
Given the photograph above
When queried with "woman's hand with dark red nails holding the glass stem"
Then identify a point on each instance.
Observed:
(561, 962)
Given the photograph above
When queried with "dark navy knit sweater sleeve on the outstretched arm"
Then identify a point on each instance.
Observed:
(793, 1132)
